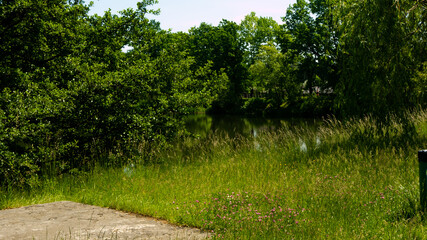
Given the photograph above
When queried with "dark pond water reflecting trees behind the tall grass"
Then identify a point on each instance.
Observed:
(232, 125)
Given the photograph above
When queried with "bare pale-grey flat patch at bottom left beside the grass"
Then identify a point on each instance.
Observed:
(70, 220)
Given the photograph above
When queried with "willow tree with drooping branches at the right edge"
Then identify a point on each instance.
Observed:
(383, 51)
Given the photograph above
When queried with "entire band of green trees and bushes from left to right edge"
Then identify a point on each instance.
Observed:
(71, 98)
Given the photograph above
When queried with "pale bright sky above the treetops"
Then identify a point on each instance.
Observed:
(181, 15)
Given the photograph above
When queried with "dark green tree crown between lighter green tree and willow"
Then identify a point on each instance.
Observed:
(309, 33)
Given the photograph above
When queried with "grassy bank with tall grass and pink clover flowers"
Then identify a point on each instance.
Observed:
(292, 183)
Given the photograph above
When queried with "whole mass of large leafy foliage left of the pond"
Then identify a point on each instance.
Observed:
(89, 103)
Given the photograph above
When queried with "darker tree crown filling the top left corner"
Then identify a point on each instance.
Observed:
(38, 37)
